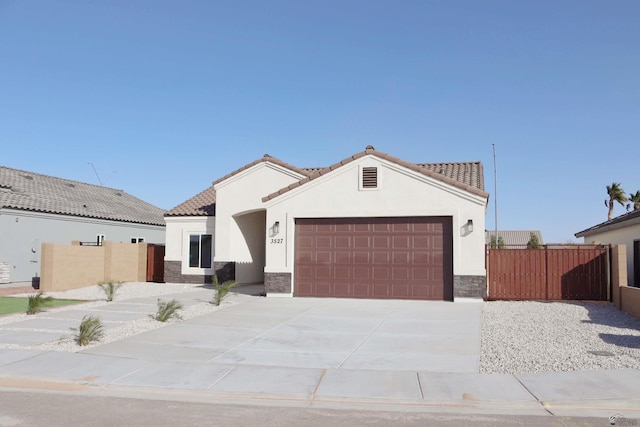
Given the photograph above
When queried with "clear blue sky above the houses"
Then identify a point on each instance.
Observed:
(172, 95)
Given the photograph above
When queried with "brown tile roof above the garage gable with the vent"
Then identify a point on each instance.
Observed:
(467, 176)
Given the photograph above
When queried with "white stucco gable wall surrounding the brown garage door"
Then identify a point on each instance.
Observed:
(400, 192)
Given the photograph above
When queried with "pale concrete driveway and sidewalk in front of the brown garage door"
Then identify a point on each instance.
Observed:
(373, 354)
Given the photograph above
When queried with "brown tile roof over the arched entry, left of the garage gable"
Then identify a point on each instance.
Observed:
(204, 203)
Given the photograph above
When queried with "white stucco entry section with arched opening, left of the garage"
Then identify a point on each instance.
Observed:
(240, 230)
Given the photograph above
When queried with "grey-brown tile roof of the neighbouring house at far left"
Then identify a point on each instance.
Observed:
(30, 191)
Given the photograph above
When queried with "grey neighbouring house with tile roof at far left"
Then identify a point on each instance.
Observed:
(35, 209)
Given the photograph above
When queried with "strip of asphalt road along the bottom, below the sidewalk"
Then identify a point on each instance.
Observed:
(22, 408)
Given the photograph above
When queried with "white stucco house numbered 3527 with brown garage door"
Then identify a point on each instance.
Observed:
(370, 226)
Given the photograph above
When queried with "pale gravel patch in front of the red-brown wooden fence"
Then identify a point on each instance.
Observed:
(527, 336)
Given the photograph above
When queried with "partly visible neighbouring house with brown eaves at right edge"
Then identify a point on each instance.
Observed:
(622, 230)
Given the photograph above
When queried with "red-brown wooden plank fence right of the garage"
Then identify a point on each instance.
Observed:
(575, 272)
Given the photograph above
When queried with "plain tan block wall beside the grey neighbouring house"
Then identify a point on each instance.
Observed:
(73, 266)
